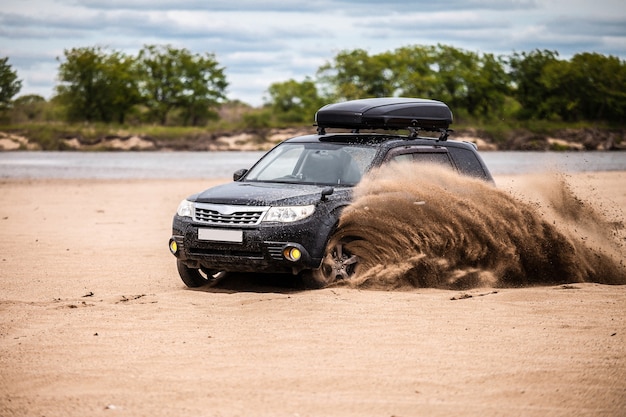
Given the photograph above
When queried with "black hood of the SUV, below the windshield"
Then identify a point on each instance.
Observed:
(267, 194)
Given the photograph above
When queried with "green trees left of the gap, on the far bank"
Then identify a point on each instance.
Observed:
(160, 84)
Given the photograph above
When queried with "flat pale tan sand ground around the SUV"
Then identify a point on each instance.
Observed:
(95, 321)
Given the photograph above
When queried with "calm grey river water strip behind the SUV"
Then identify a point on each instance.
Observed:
(158, 165)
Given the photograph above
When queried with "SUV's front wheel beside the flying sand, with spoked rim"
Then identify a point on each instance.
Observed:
(338, 264)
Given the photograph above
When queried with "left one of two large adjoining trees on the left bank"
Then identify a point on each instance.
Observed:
(97, 85)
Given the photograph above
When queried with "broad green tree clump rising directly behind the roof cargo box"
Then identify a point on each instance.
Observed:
(465, 80)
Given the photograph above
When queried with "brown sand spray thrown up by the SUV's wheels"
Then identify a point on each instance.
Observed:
(430, 227)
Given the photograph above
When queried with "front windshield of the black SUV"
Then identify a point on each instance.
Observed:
(314, 163)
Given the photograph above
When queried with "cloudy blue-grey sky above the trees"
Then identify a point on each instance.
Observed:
(261, 42)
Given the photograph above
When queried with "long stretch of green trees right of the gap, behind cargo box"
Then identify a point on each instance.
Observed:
(478, 87)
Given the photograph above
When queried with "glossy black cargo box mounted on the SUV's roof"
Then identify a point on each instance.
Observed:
(385, 113)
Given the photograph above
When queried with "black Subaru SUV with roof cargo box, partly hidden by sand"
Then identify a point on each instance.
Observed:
(279, 216)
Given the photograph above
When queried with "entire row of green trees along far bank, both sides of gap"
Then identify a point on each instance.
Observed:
(166, 85)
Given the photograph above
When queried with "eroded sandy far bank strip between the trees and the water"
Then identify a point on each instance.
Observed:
(584, 139)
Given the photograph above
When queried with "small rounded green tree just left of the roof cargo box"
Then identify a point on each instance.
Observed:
(295, 102)
